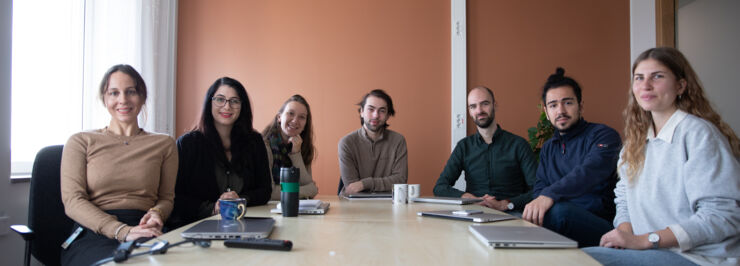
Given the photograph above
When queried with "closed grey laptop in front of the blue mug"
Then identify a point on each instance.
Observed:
(247, 227)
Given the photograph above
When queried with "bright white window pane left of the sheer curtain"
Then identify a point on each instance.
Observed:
(46, 77)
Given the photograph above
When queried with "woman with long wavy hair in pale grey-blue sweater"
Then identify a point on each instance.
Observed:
(678, 197)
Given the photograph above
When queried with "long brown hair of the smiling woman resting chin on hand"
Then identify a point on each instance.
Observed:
(308, 151)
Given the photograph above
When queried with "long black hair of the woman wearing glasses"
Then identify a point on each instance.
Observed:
(240, 132)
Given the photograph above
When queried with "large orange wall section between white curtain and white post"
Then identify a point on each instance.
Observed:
(331, 52)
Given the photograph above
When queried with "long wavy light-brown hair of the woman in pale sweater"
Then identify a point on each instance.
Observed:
(692, 101)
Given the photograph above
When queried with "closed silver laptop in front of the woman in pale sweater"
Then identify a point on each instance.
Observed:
(520, 237)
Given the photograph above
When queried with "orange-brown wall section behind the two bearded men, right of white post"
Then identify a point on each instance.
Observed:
(513, 46)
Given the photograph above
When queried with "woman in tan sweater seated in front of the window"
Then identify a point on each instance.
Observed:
(117, 182)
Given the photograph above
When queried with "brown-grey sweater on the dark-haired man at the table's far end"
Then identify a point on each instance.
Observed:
(379, 164)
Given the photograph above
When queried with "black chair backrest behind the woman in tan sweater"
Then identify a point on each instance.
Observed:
(45, 209)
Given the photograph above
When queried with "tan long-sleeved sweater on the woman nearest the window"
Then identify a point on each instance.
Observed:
(103, 171)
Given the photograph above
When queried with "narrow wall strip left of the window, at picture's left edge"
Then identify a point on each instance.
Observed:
(13, 197)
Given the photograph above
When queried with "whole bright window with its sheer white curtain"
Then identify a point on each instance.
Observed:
(61, 49)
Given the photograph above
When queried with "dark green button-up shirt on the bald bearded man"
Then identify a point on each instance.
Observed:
(505, 169)
